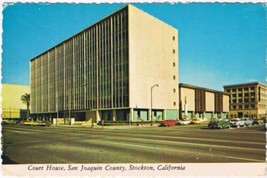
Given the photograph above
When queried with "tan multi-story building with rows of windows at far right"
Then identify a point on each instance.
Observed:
(247, 99)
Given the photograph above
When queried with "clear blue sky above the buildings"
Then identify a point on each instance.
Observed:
(219, 44)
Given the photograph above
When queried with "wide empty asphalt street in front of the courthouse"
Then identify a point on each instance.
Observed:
(179, 144)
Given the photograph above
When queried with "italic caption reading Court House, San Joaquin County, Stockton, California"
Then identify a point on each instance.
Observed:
(108, 167)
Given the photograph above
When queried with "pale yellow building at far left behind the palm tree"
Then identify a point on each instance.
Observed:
(12, 106)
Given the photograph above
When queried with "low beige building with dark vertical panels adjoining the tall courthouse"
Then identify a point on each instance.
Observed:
(199, 102)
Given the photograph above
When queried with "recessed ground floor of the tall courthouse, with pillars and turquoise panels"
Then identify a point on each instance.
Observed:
(108, 116)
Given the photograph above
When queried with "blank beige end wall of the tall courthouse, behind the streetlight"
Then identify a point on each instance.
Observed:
(153, 58)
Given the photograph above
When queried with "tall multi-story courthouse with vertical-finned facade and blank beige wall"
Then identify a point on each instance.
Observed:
(115, 70)
